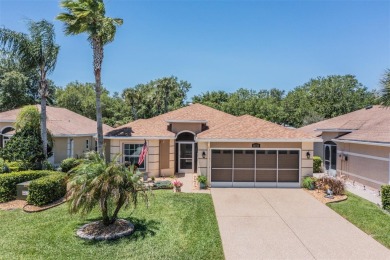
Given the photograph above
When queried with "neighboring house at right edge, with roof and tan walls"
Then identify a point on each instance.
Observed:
(356, 145)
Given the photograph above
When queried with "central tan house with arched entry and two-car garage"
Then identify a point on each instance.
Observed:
(231, 151)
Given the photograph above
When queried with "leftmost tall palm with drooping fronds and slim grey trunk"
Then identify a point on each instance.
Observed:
(37, 52)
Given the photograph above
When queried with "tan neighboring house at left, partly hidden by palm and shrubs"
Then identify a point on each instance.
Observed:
(73, 134)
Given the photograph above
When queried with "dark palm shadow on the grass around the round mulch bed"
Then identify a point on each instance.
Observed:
(143, 228)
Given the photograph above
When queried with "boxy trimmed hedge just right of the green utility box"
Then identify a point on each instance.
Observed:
(47, 189)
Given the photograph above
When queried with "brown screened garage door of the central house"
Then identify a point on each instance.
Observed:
(255, 168)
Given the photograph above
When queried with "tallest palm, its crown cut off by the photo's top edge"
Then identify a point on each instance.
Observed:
(88, 16)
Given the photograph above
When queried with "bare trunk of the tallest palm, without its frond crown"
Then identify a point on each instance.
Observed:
(97, 63)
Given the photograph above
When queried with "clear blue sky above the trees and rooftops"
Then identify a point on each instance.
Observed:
(224, 45)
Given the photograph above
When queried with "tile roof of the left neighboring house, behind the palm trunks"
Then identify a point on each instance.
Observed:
(61, 121)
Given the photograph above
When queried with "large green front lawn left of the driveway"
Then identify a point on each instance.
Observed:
(175, 226)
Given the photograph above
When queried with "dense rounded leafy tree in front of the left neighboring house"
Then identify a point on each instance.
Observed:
(26, 144)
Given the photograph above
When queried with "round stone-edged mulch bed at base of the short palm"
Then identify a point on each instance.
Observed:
(98, 231)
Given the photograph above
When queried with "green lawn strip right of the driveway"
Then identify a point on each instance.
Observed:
(365, 215)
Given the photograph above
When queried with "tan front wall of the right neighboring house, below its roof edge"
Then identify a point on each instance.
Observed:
(372, 172)
